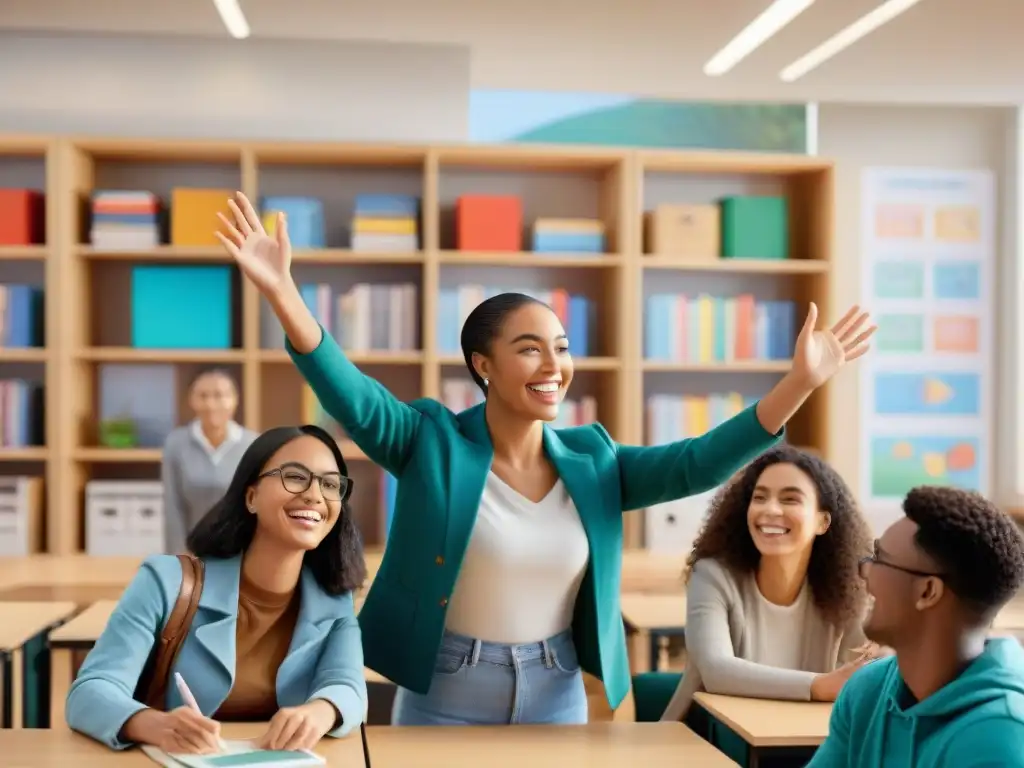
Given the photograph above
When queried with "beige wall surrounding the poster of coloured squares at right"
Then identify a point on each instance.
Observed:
(946, 138)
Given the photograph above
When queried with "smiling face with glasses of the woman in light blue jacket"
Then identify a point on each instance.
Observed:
(292, 507)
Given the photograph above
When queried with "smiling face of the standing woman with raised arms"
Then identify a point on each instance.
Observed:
(529, 366)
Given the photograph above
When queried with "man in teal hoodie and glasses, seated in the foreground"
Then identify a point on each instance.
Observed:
(951, 697)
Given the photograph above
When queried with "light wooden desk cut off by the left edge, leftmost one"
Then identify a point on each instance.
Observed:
(20, 624)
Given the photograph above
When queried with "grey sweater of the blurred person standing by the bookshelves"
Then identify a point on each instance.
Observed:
(194, 482)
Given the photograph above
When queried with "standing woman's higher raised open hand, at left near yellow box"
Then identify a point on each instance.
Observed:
(266, 261)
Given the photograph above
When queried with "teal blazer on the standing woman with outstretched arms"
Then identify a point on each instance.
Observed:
(442, 461)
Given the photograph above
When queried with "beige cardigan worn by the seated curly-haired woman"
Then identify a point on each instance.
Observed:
(728, 622)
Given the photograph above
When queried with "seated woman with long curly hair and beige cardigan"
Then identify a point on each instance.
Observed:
(775, 601)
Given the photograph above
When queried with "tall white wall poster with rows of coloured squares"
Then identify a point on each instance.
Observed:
(928, 254)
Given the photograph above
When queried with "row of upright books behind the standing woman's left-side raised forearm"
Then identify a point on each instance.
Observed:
(383, 317)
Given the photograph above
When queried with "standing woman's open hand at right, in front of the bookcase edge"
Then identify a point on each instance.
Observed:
(820, 355)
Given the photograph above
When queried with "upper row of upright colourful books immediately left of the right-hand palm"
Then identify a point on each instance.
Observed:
(708, 329)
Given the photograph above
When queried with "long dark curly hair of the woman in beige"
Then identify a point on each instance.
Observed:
(837, 589)
